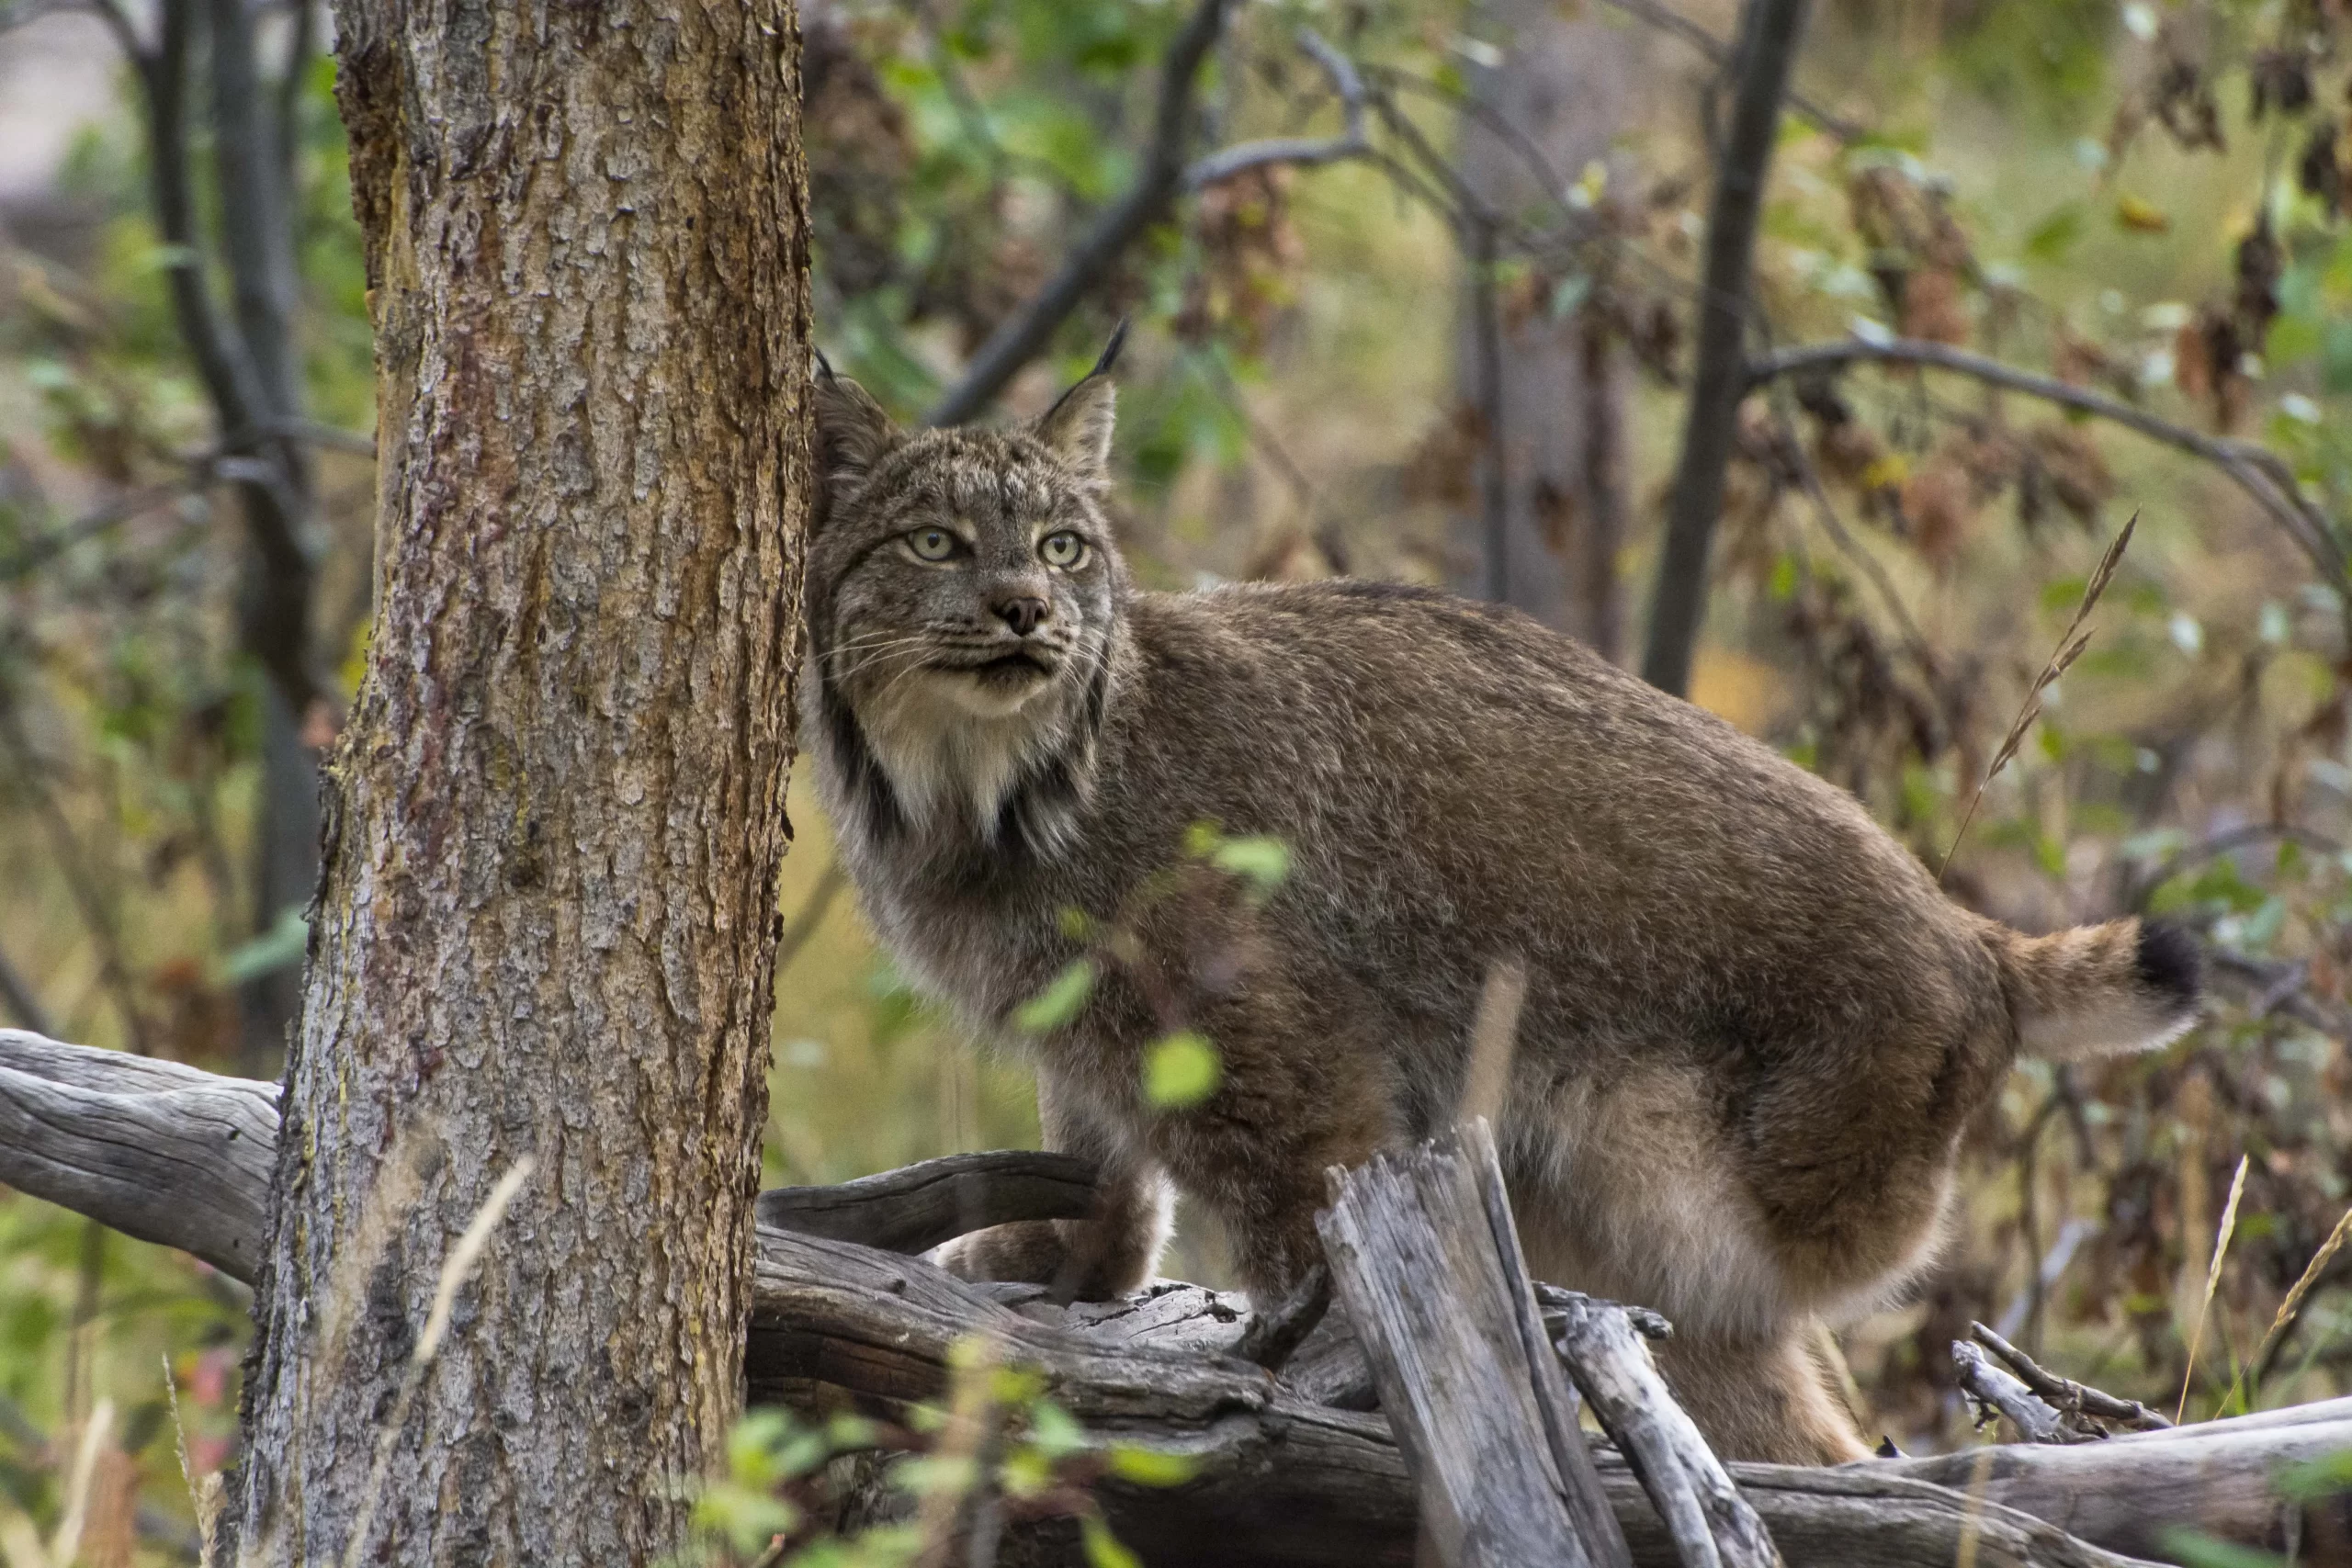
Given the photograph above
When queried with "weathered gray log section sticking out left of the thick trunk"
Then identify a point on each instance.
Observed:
(156, 1151)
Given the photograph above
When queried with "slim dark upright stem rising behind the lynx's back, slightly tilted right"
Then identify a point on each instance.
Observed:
(1770, 34)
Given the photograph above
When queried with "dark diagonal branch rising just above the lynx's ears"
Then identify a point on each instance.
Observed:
(1027, 330)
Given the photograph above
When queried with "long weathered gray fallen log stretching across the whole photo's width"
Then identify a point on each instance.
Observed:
(1278, 1477)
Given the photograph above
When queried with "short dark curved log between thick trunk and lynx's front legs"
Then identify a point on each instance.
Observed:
(937, 1200)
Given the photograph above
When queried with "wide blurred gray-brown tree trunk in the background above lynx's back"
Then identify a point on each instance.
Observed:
(1568, 86)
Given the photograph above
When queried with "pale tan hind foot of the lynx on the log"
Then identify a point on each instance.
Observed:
(1763, 1400)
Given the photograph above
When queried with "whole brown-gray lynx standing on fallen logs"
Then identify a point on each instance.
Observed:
(1753, 1026)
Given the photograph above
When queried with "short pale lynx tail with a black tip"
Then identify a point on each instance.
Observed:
(2099, 991)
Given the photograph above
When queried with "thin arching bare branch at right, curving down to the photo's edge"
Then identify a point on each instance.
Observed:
(2257, 471)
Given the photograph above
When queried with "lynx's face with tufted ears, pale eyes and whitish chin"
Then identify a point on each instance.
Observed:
(963, 594)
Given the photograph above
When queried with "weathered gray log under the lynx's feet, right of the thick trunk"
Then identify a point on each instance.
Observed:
(1281, 1482)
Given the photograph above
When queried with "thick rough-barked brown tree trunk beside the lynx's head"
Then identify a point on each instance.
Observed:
(547, 918)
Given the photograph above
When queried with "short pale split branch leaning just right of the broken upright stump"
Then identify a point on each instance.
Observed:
(1713, 1527)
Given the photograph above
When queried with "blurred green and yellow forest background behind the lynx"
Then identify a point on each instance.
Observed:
(1459, 314)
